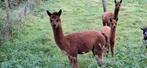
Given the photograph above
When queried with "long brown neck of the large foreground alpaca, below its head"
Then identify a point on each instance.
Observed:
(59, 38)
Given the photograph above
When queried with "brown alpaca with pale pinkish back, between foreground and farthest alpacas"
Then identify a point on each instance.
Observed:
(108, 33)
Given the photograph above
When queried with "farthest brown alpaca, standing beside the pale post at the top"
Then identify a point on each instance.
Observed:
(108, 15)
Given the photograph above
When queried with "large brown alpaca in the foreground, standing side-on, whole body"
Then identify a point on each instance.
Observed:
(77, 43)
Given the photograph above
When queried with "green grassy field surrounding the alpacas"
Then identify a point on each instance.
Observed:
(33, 45)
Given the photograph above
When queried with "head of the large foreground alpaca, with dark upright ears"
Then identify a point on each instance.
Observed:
(55, 18)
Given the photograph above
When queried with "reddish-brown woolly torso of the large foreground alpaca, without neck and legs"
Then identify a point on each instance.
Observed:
(85, 41)
